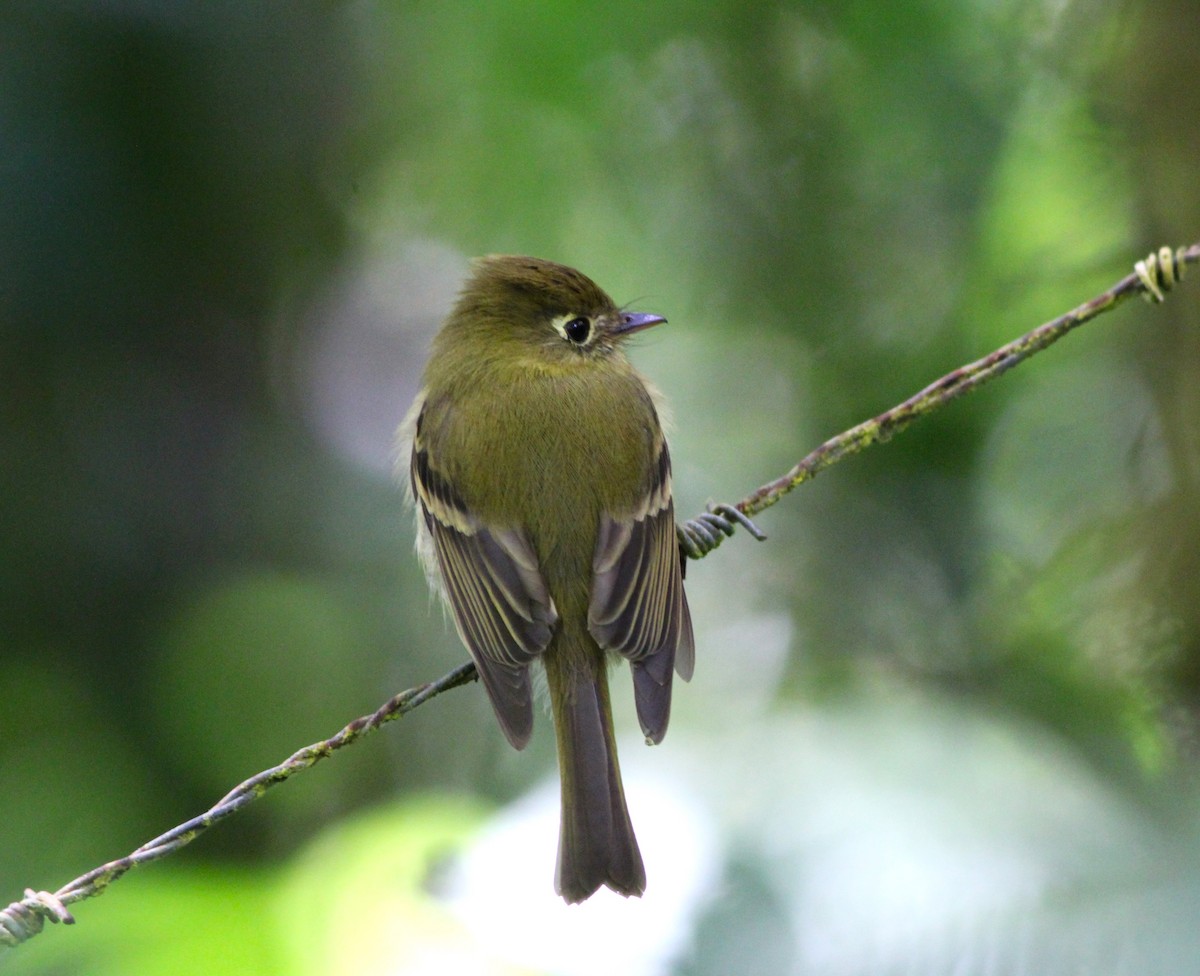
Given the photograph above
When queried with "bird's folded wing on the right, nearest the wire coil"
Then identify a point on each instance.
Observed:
(638, 606)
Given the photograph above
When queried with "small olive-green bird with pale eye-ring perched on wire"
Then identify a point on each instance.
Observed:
(544, 490)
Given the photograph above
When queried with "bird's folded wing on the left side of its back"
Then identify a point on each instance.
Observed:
(490, 576)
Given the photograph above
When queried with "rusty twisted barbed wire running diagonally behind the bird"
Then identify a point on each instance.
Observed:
(1154, 277)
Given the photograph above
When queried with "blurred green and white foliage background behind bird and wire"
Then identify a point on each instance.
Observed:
(945, 721)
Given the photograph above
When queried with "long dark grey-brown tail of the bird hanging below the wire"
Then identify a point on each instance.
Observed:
(597, 845)
